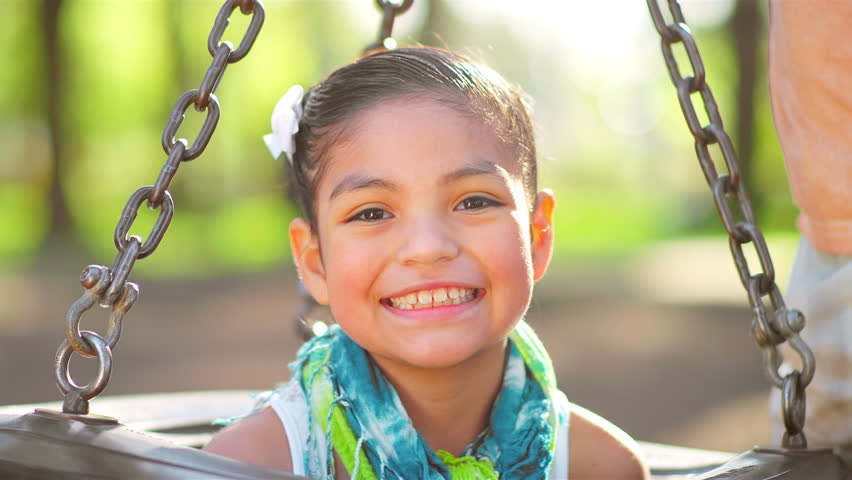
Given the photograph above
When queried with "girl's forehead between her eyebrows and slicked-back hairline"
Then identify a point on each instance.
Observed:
(423, 136)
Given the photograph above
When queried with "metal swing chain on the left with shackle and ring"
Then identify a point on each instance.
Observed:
(108, 287)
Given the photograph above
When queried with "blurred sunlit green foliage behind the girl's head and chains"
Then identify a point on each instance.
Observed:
(613, 143)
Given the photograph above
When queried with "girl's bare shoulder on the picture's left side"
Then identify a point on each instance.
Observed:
(259, 439)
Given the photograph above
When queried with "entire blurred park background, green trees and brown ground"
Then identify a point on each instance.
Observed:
(642, 309)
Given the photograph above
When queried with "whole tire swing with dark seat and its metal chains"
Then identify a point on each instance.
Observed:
(39, 443)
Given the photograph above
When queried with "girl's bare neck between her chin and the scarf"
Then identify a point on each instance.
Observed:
(449, 406)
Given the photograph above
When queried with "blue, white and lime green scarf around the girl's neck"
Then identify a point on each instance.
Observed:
(356, 412)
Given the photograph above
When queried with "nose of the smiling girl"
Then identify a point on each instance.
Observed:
(428, 240)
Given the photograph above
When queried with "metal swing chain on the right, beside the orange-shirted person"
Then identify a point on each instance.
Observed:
(774, 324)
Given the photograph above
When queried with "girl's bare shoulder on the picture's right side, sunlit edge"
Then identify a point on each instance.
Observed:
(600, 450)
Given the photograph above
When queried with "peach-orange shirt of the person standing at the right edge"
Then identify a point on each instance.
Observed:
(810, 64)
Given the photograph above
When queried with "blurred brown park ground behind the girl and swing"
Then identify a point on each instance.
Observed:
(657, 342)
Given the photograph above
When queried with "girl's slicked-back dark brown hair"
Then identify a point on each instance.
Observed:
(467, 86)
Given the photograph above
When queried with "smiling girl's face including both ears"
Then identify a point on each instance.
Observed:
(425, 249)
